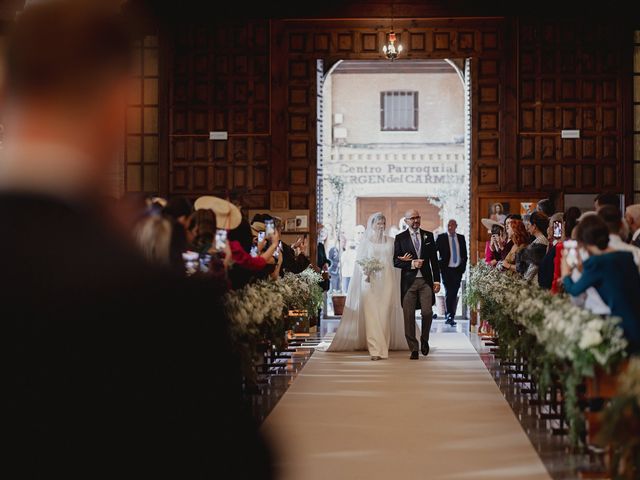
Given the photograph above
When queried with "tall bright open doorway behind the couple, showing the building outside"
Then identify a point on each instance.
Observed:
(392, 136)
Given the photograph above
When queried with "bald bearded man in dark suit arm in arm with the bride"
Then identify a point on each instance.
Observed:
(416, 255)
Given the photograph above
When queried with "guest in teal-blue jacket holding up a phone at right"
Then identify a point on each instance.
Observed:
(614, 275)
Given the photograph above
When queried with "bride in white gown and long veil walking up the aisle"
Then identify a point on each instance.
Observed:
(372, 317)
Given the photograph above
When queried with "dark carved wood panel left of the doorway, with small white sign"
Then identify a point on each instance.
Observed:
(220, 80)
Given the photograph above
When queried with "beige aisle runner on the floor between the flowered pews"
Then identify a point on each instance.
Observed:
(443, 417)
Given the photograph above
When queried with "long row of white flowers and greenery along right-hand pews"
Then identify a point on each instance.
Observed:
(560, 340)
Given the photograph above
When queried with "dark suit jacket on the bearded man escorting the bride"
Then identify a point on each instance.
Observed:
(430, 269)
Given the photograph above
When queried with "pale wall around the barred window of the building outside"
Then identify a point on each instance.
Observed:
(440, 96)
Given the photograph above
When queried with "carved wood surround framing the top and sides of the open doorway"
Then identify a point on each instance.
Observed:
(294, 104)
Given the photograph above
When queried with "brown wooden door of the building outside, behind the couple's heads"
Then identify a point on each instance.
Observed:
(394, 208)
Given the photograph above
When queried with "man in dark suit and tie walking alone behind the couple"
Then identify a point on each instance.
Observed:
(453, 263)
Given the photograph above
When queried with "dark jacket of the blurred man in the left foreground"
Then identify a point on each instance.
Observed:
(112, 365)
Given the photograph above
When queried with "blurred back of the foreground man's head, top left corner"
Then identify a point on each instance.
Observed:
(66, 52)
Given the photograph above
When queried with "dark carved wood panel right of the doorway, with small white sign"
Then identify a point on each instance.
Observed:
(570, 77)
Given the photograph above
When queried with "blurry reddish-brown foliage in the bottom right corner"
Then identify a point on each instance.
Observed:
(621, 425)
